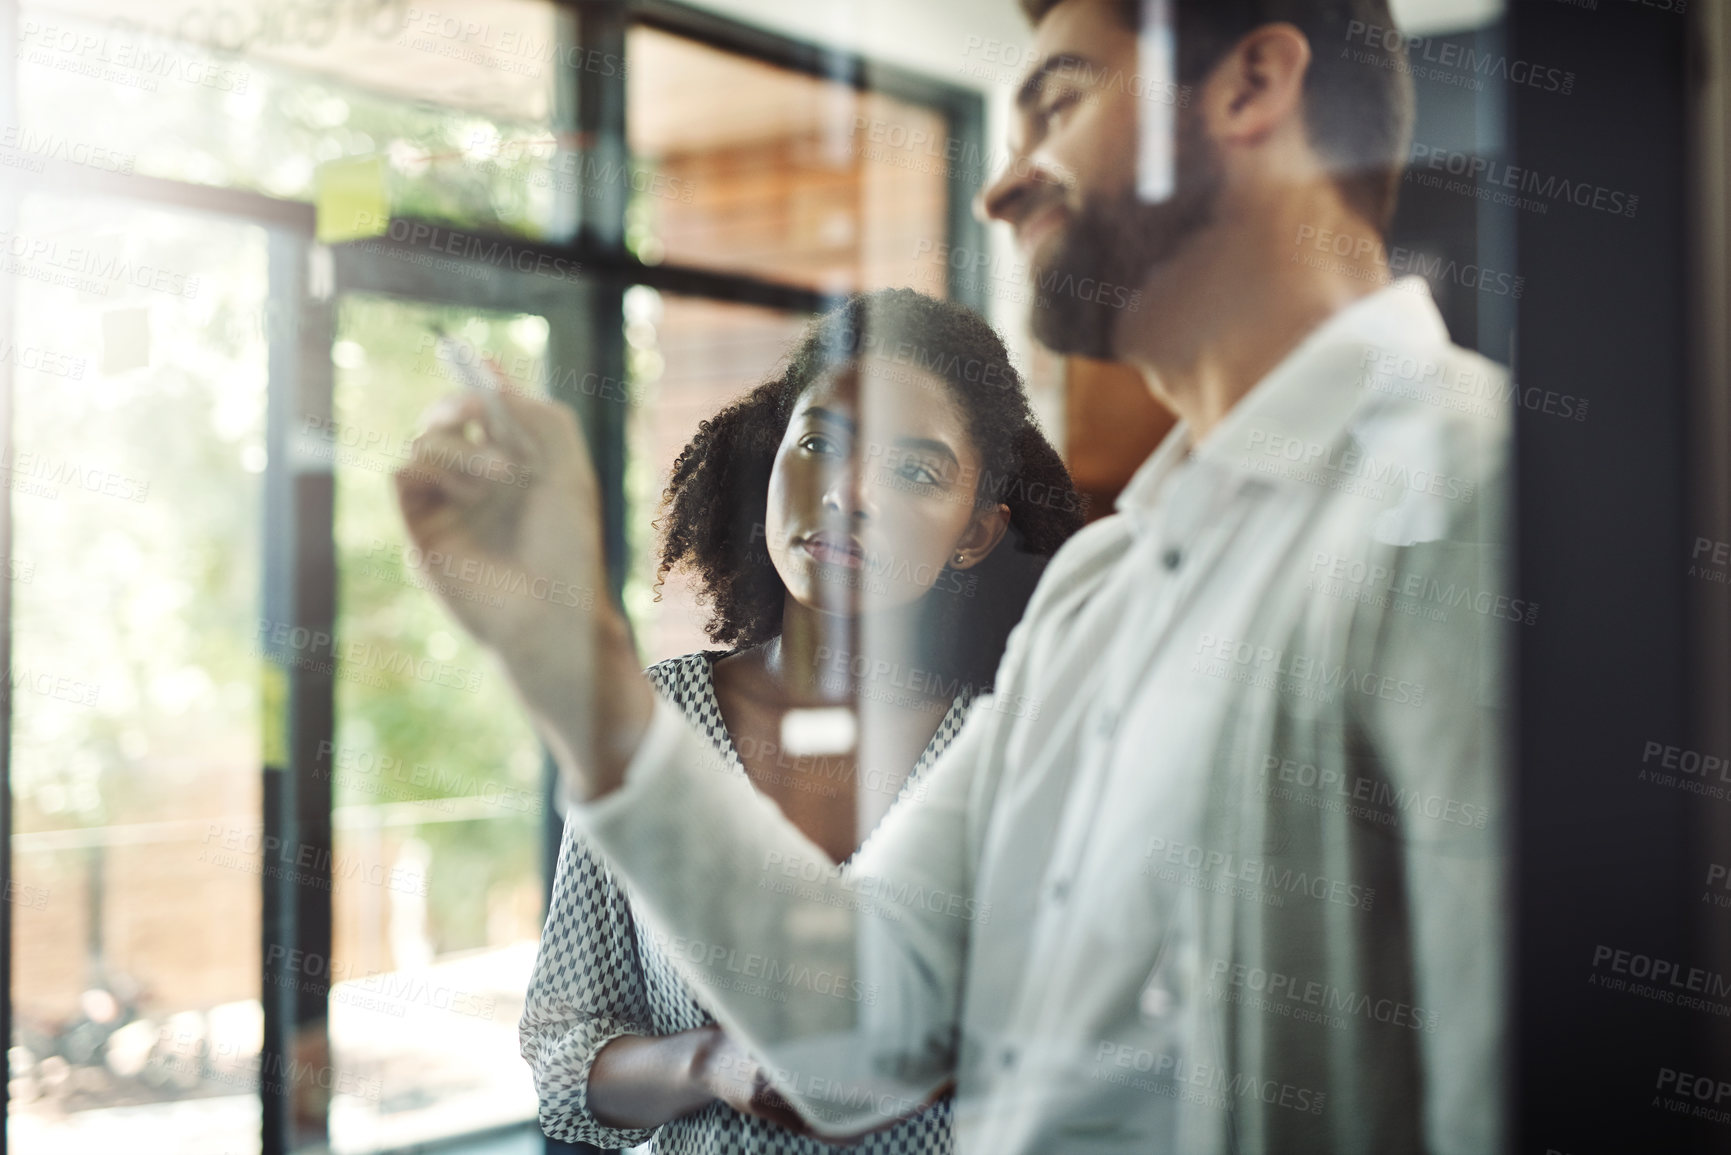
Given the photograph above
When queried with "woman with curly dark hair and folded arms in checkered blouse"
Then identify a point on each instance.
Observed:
(866, 527)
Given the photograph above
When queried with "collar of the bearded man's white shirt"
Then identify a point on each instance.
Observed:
(1310, 397)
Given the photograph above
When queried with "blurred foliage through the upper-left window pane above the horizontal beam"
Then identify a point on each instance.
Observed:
(267, 127)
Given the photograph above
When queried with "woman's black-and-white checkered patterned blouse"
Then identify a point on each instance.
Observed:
(600, 976)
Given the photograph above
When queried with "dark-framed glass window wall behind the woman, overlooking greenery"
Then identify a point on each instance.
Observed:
(155, 344)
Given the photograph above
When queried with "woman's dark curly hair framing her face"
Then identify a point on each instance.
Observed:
(717, 498)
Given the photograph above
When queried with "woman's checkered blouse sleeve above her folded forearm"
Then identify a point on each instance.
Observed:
(588, 991)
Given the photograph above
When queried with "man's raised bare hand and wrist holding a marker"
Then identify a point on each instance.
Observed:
(505, 513)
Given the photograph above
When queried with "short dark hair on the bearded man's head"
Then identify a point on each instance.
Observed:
(1358, 94)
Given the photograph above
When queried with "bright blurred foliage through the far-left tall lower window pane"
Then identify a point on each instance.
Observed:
(136, 482)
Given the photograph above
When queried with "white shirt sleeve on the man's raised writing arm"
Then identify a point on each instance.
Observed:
(846, 988)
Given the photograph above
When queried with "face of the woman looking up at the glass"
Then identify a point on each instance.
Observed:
(873, 491)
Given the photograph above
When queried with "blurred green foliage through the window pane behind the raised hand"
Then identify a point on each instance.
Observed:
(441, 740)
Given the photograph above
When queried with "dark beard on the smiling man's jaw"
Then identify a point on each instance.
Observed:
(1102, 259)
